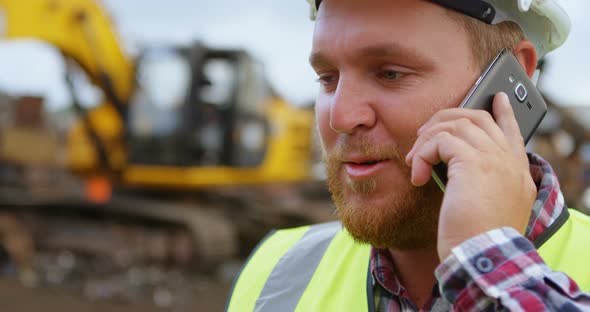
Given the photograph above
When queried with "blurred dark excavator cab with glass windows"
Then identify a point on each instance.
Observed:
(196, 106)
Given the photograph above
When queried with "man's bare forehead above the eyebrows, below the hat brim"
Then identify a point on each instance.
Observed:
(370, 30)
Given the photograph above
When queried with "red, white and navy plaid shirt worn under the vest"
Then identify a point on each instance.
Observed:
(516, 279)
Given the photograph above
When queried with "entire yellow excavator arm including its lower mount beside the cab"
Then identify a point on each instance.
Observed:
(82, 31)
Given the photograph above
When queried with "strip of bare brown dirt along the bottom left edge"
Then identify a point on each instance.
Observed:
(14, 297)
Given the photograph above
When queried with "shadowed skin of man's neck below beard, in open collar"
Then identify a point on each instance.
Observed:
(415, 271)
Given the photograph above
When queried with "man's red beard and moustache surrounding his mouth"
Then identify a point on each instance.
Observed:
(405, 218)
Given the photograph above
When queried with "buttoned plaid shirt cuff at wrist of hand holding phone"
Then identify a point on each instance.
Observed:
(488, 264)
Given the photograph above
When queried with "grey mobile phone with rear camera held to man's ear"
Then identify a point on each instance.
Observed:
(503, 74)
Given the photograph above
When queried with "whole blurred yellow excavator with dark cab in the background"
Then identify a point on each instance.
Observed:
(174, 119)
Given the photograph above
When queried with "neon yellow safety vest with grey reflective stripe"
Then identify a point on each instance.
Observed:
(321, 268)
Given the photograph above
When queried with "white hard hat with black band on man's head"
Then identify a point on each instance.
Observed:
(544, 22)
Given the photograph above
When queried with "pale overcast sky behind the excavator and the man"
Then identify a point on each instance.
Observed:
(278, 33)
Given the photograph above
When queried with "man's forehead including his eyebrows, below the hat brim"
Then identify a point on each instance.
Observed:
(410, 32)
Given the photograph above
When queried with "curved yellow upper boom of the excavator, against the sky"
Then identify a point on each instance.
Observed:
(81, 31)
